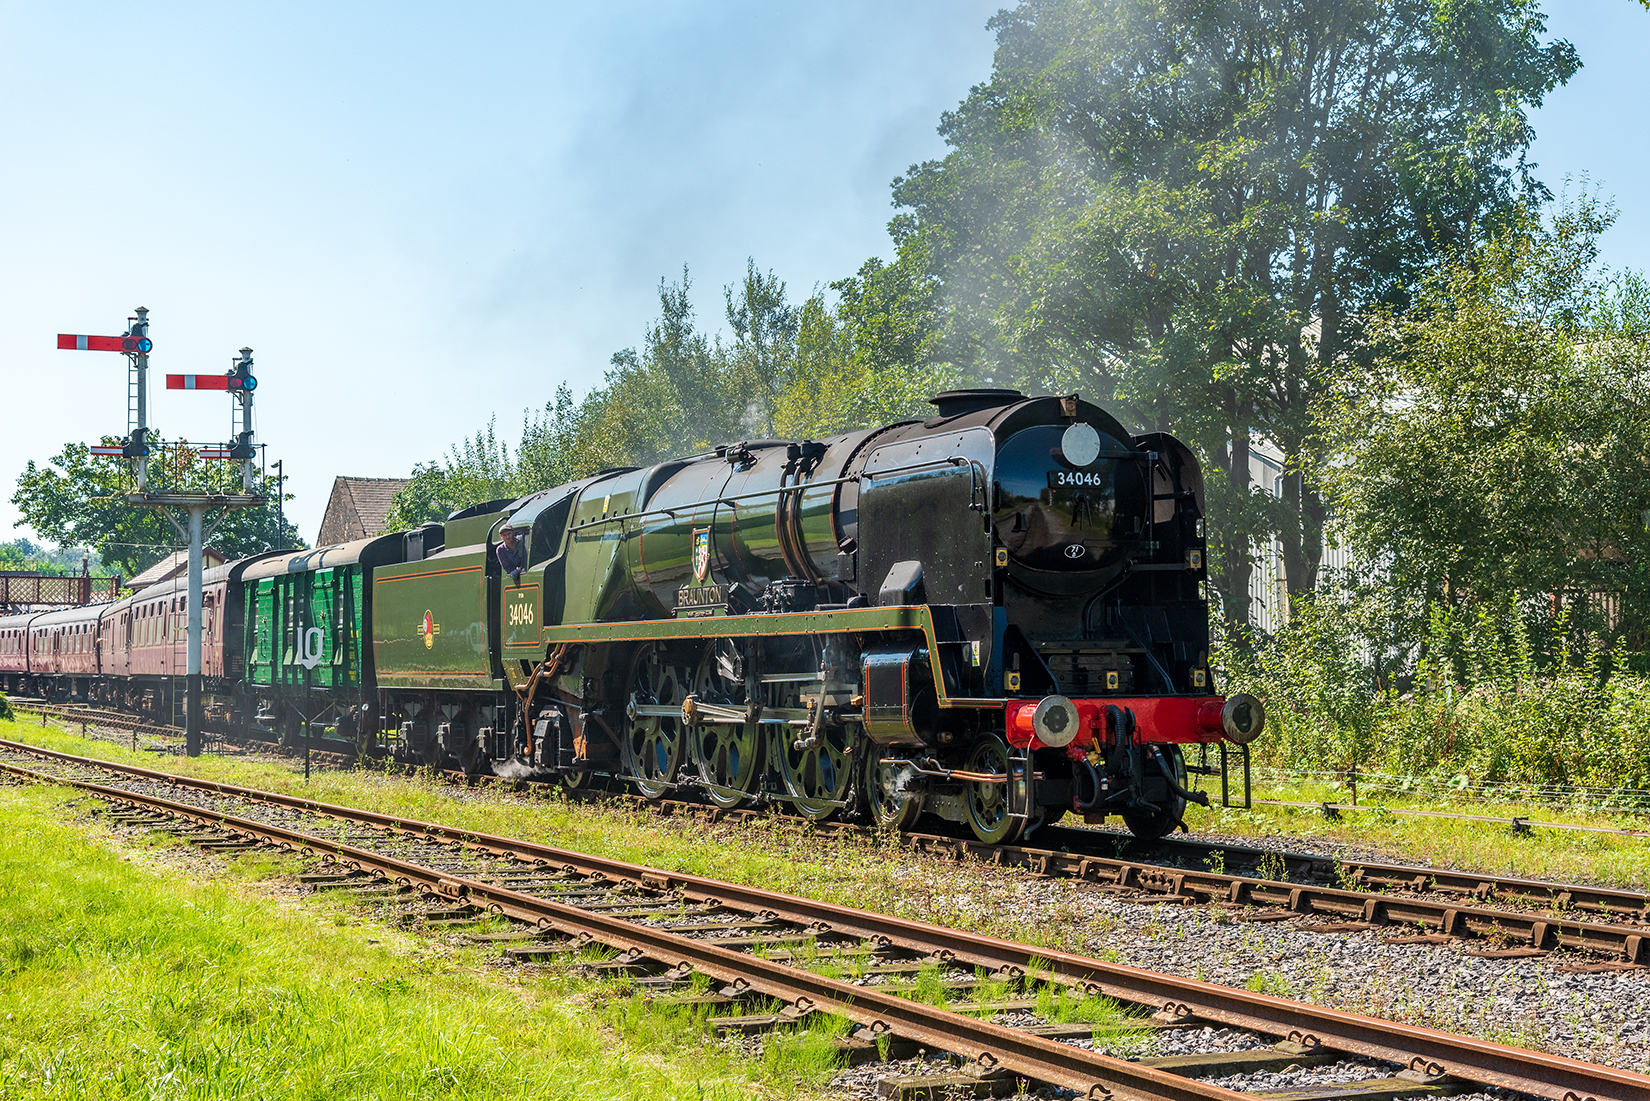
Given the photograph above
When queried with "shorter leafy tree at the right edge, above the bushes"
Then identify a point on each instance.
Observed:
(1497, 450)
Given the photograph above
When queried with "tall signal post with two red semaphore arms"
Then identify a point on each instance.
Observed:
(136, 450)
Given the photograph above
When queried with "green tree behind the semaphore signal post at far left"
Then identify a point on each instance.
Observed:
(82, 499)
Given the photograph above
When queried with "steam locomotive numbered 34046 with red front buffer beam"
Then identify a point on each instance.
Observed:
(996, 617)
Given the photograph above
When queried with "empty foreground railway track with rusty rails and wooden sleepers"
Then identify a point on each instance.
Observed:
(667, 929)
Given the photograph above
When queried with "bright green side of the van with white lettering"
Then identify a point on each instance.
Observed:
(313, 615)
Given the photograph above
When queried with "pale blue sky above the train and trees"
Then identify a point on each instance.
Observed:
(427, 215)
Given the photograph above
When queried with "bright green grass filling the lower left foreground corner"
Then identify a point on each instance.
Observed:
(121, 978)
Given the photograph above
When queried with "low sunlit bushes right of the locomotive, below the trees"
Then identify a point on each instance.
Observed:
(1469, 704)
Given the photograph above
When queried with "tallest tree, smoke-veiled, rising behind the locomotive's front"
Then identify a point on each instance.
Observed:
(1184, 207)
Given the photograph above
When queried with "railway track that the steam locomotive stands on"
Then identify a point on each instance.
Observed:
(1507, 917)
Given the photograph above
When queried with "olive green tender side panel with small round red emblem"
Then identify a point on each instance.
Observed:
(433, 623)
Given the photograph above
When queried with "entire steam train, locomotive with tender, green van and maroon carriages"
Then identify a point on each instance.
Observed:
(996, 617)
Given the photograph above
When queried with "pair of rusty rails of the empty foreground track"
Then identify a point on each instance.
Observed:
(1423, 1051)
